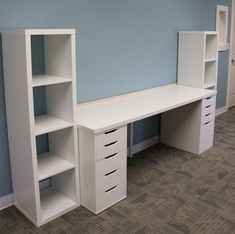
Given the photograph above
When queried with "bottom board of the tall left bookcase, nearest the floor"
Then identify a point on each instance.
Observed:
(53, 204)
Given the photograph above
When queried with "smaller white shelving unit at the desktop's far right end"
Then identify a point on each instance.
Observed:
(198, 59)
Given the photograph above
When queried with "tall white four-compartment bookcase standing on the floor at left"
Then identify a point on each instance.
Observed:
(58, 165)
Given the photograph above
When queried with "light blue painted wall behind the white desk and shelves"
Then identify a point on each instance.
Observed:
(122, 46)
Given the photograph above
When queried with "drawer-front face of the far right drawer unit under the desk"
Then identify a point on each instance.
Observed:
(207, 123)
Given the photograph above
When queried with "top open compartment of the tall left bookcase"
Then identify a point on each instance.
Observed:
(51, 55)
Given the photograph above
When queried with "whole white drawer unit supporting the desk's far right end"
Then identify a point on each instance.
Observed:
(196, 121)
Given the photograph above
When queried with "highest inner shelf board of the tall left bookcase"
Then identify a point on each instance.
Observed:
(41, 80)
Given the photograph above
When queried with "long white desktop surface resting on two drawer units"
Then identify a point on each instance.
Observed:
(103, 116)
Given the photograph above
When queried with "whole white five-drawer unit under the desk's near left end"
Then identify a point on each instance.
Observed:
(103, 168)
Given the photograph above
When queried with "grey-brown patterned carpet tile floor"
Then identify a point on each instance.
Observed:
(169, 191)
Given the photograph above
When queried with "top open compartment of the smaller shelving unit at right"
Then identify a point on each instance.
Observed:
(211, 47)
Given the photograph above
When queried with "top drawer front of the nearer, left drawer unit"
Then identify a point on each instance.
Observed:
(110, 136)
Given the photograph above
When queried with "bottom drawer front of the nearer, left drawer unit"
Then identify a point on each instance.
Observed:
(110, 190)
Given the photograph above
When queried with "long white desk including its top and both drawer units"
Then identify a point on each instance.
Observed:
(187, 123)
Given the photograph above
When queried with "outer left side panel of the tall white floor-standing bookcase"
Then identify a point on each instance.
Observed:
(20, 124)
